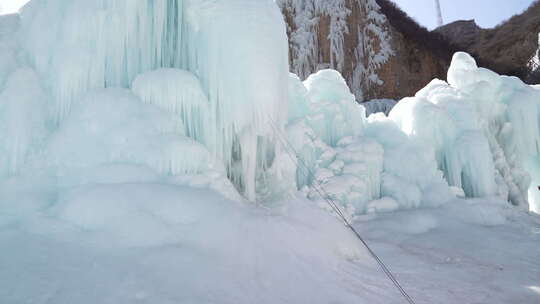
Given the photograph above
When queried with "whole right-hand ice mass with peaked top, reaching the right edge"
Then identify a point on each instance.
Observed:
(483, 127)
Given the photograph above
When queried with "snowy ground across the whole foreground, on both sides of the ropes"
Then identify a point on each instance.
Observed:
(475, 251)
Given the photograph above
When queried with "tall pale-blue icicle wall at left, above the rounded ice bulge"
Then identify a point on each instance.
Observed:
(235, 89)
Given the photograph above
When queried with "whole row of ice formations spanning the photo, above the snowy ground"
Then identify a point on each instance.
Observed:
(172, 88)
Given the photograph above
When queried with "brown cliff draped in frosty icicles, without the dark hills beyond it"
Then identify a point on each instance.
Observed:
(356, 37)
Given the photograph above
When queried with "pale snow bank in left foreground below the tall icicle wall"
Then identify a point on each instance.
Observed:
(152, 241)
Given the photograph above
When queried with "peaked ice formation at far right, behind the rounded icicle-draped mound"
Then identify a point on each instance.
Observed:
(509, 115)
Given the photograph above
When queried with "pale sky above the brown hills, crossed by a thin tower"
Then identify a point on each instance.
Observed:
(487, 13)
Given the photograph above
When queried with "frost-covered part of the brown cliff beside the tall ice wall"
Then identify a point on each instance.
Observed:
(352, 37)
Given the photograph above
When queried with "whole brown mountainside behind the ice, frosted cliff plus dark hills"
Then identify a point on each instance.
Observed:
(383, 53)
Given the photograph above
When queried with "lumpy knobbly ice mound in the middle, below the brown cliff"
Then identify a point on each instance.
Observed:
(355, 161)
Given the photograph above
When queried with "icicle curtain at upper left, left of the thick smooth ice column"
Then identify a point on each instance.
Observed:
(81, 45)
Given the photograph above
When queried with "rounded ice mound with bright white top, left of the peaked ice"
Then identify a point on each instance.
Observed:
(445, 123)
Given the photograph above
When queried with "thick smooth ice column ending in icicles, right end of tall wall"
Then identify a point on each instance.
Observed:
(238, 49)
